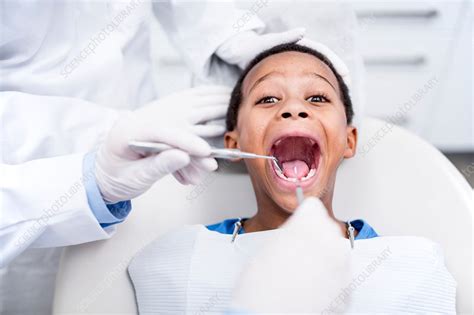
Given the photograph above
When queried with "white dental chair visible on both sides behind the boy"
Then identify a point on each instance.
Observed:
(399, 183)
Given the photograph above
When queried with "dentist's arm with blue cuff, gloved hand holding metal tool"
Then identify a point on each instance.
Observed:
(72, 199)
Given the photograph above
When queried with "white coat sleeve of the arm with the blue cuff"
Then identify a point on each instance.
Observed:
(44, 204)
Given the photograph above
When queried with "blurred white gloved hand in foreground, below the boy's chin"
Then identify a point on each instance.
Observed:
(303, 270)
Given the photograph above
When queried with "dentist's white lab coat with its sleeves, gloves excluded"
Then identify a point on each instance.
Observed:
(58, 99)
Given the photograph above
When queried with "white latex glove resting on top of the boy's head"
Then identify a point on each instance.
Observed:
(243, 47)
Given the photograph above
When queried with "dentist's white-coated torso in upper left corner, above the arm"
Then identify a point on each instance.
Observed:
(97, 51)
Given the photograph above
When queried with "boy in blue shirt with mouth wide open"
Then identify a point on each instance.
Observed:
(291, 103)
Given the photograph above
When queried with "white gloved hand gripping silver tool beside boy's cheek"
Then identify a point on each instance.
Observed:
(177, 120)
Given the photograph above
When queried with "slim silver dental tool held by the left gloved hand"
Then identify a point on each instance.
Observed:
(153, 147)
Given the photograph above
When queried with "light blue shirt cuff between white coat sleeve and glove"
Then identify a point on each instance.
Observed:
(106, 214)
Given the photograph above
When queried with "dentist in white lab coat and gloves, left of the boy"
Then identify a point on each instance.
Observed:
(76, 85)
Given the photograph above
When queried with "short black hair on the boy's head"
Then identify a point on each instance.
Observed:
(236, 96)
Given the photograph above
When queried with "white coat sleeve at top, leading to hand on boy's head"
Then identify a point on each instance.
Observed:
(198, 28)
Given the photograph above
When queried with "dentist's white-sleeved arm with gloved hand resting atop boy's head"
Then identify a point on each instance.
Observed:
(203, 30)
